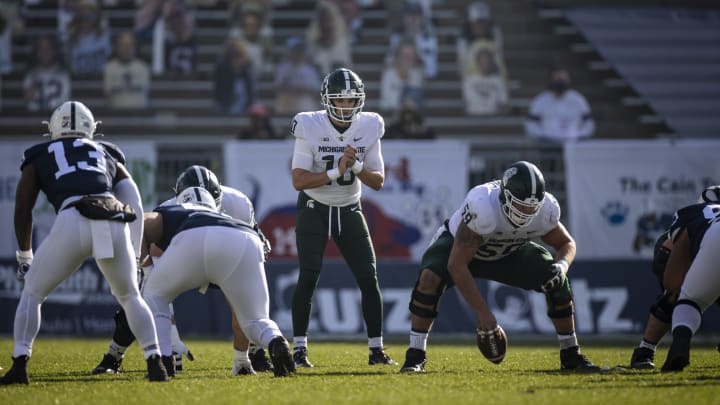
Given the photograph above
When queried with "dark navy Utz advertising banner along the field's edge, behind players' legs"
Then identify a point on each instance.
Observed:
(611, 297)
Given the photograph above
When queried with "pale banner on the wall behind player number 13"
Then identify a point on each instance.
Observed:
(141, 162)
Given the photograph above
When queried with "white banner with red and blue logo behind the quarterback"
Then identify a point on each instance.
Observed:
(425, 181)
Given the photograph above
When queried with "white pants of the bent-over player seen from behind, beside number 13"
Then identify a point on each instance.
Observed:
(228, 257)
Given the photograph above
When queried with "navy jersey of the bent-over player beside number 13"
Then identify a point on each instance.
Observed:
(177, 218)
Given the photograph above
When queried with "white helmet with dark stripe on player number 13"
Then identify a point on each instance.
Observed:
(71, 119)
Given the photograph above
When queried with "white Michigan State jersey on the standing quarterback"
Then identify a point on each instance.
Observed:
(319, 146)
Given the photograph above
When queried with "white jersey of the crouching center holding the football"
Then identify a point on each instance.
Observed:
(482, 213)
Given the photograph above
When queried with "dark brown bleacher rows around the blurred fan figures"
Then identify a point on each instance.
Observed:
(181, 107)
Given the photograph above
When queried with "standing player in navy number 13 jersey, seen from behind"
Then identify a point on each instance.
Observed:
(99, 214)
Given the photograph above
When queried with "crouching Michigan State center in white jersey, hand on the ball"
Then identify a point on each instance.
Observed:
(490, 237)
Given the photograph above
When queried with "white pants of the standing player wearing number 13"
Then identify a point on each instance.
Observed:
(61, 253)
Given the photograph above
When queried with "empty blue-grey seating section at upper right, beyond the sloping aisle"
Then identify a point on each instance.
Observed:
(670, 56)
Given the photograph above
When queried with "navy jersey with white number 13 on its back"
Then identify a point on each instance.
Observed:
(70, 167)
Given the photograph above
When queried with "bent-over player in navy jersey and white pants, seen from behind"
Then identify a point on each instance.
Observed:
(200, 246)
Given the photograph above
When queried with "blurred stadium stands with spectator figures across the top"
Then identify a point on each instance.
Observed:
(551, 70)
